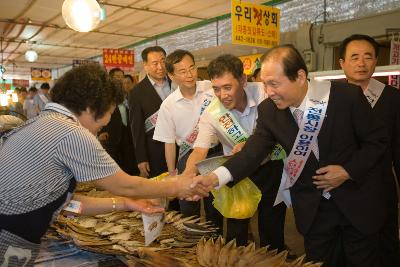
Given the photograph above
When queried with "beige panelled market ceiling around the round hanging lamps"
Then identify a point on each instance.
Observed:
(39, 24)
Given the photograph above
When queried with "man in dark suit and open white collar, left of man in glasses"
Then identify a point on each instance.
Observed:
(144, 103)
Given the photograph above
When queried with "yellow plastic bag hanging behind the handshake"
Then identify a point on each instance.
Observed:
(239, 202)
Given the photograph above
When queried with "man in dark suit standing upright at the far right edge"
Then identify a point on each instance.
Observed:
(358, 58)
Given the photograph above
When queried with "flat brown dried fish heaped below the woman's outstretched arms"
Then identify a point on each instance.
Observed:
(121, 233)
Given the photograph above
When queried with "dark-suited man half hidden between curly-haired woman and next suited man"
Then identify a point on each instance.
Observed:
(116, 136)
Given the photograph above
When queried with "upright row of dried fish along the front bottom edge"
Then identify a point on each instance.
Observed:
(216, 253)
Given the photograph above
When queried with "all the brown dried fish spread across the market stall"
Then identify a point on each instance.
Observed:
(184, 241)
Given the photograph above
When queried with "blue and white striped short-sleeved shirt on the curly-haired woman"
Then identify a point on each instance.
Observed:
(38, 159)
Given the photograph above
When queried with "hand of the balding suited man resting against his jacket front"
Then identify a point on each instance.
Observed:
(330, 177)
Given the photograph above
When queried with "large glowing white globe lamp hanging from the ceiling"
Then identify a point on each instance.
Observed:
(81, 15)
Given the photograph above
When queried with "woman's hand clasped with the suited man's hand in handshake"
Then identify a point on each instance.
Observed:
(188, 188)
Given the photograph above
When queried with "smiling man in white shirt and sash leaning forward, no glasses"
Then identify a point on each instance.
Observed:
(231, 117)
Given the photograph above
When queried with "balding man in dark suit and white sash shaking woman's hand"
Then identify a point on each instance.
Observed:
(344, 160)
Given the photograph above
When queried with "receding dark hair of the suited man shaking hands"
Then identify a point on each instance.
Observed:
(291, 60)
